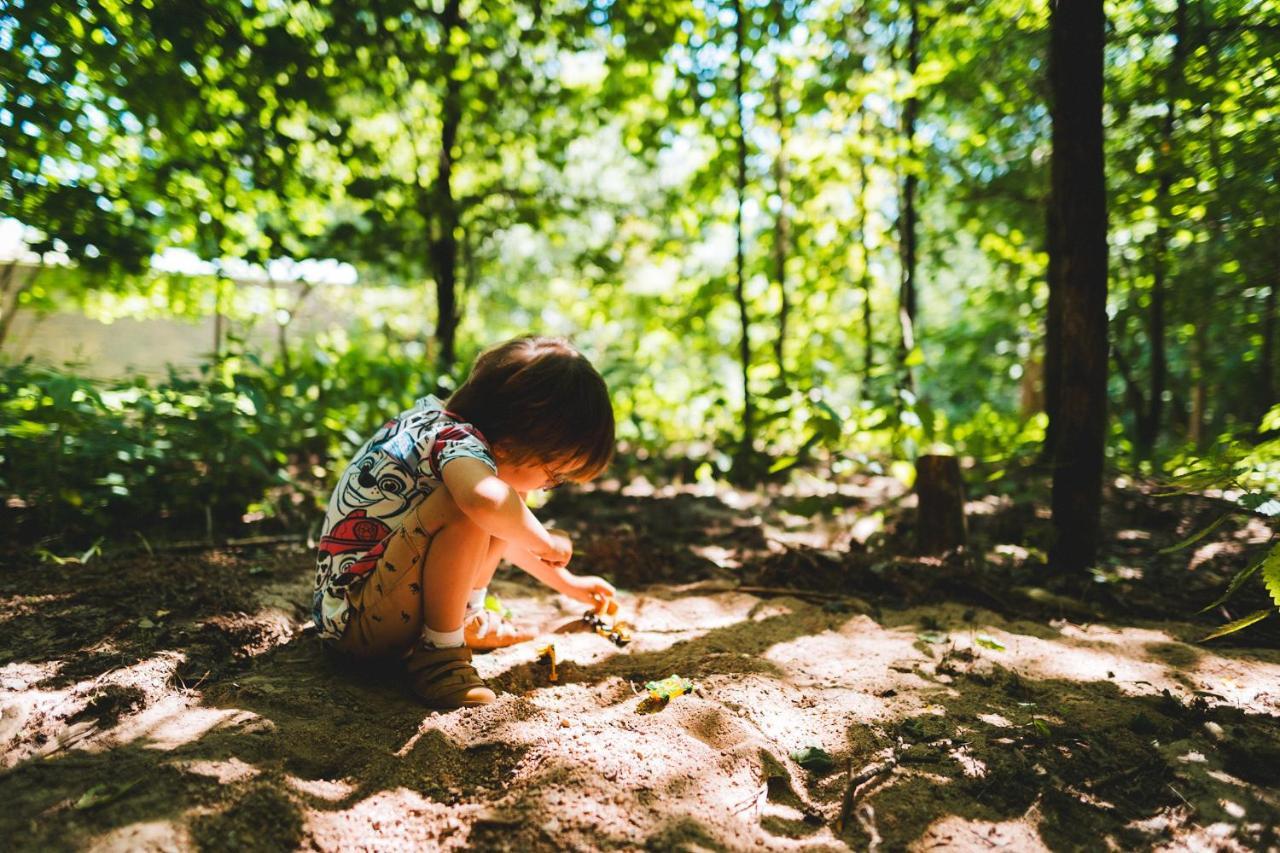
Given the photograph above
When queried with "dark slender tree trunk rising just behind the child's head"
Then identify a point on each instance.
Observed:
(445, 207)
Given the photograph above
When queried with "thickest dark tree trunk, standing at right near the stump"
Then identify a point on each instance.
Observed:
(1080, 245)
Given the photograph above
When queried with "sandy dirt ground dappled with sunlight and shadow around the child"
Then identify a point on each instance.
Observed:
(176, 703)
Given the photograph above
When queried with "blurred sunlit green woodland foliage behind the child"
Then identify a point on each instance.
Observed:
(477, 171)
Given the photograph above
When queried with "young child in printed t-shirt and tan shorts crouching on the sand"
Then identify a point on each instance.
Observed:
(433, 503)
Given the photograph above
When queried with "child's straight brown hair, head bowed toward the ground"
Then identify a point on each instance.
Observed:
(541, 399)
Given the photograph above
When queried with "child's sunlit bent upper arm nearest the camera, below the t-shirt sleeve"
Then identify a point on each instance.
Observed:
(499, 509)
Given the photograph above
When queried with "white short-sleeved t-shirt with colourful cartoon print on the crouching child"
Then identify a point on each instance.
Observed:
(388, 478)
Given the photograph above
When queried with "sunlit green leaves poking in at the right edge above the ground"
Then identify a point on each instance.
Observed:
(1249, 476)
